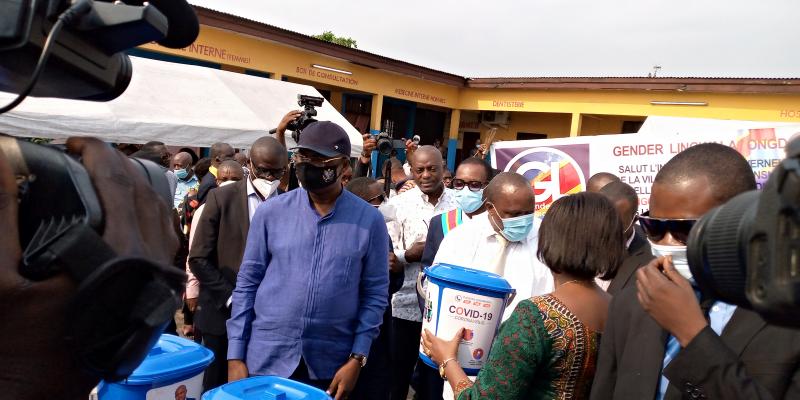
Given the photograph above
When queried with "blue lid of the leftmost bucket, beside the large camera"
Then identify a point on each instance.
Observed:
(172, 357)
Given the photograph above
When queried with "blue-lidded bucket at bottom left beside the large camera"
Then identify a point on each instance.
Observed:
(173, 369)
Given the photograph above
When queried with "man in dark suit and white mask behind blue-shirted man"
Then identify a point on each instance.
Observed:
(219, 242)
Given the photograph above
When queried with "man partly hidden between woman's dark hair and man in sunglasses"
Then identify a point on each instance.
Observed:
(626, 201)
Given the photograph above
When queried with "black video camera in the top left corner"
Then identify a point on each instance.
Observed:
(82, 43)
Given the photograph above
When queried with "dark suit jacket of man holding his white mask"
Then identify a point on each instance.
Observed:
(750, 360)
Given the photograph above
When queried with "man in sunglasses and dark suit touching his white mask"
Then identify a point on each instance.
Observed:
(664, 339)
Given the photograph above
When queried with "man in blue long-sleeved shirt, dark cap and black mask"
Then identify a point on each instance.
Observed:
(311, 290)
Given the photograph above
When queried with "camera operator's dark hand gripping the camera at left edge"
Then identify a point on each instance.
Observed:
(36, 364)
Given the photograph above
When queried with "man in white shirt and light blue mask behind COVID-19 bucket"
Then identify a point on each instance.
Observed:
(503, 240)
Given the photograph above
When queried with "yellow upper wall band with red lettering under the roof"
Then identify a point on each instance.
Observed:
(238, 52)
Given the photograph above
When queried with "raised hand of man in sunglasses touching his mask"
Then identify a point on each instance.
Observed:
(670, 299)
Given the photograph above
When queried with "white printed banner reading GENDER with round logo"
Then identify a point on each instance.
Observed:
(559, 167)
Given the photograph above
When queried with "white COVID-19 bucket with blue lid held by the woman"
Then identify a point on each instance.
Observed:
(458, 297)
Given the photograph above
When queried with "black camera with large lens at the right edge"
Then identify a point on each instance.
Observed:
(747, 251)
